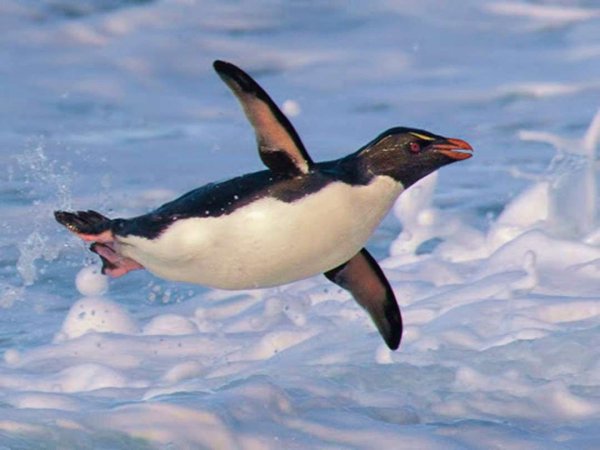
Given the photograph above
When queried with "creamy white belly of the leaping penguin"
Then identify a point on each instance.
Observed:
(268, 242)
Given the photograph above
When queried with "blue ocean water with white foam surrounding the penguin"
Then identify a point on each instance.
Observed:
(113, 106)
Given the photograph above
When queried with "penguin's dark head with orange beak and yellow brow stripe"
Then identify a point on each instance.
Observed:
(409, 154)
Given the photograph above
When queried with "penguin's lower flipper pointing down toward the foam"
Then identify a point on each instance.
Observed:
(365, 280)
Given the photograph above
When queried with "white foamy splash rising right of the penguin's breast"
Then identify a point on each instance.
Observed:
(561, 202)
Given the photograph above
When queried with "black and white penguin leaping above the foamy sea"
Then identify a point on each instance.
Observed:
(294, 220)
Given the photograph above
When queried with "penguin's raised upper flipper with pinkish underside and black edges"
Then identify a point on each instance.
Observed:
(279, 145)
